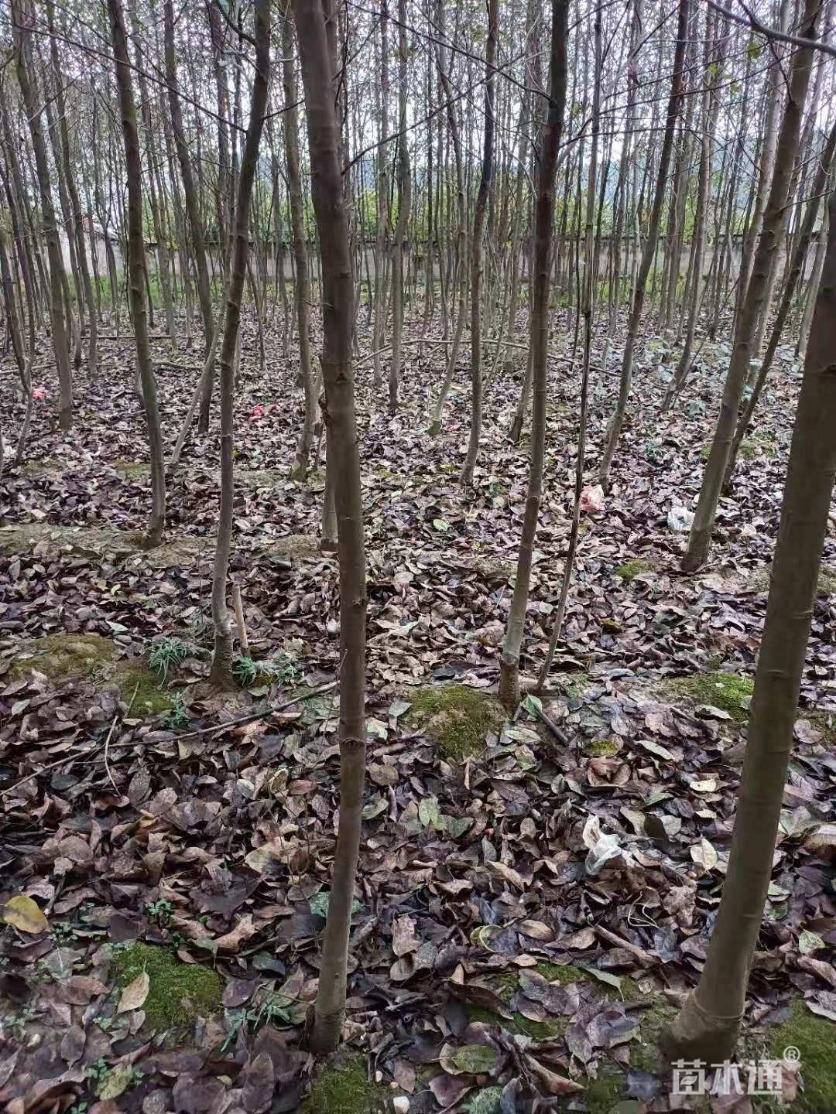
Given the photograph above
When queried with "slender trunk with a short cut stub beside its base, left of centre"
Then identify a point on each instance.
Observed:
(221, 673)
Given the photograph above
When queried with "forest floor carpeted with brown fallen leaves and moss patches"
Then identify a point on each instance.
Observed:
(530, 910)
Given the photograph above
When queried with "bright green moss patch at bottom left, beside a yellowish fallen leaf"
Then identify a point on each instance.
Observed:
(179, 993)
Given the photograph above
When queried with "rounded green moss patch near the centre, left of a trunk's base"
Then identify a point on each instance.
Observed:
(458, 718)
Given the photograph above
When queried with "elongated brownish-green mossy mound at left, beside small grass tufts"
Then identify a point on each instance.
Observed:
(63, 658)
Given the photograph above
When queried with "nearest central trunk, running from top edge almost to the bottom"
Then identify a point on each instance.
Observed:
(319, 67)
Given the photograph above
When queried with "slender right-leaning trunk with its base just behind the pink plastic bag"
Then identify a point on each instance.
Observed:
(650, 250)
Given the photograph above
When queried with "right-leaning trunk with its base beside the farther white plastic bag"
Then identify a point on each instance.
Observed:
(774, 220)
